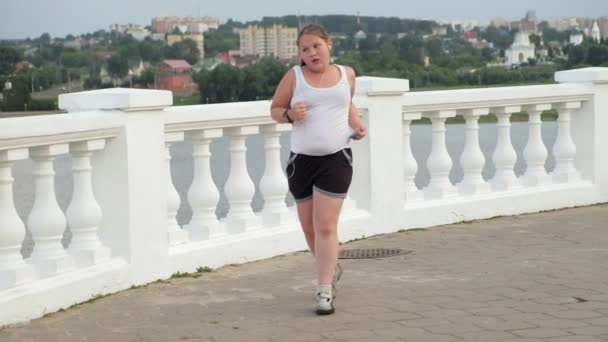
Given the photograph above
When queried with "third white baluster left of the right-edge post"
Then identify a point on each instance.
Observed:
(504, 156)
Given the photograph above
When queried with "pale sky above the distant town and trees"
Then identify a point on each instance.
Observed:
(30, 18)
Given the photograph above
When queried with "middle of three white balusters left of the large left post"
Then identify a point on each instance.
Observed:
(46, 221)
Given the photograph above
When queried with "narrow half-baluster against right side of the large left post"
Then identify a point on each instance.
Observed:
(175, 233)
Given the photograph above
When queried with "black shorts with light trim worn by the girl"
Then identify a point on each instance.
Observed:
(330, 175)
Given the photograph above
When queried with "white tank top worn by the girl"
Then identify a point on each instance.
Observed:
(325, 128)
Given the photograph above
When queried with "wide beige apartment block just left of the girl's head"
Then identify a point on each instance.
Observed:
(278, 41)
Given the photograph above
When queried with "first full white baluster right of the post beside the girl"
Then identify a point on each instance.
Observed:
(439, 162)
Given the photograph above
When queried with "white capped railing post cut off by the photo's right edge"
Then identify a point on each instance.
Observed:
(588, 129)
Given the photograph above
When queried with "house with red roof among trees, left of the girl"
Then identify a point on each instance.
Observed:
(175, 75)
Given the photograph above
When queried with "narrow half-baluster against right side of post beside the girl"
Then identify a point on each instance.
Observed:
(410, 166)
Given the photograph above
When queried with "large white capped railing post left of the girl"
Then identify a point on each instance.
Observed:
(129, 177)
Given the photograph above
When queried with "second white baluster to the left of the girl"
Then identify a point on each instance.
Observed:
(239, 188)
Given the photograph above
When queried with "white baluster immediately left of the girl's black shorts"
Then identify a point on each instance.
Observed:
(273, 184)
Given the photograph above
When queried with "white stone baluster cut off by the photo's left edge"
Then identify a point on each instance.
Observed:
(13, 270)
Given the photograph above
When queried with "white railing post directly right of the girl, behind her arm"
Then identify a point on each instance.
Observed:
(379, 157)
